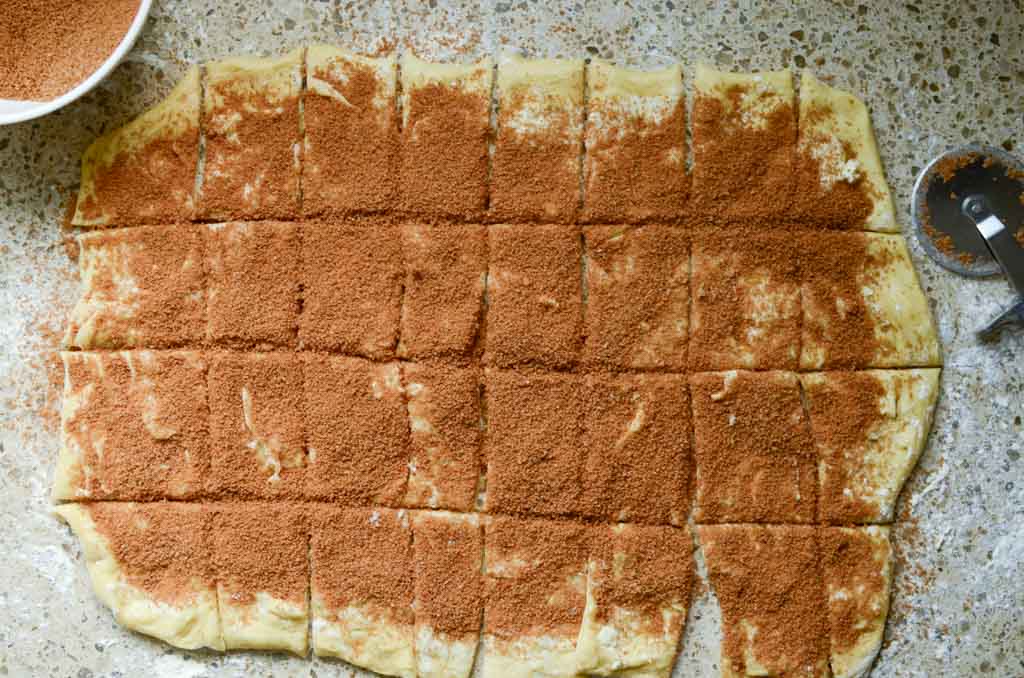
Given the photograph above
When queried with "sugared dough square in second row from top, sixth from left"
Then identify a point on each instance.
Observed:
(637, 298)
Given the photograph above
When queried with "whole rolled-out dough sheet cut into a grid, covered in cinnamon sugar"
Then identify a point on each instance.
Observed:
(446, 364)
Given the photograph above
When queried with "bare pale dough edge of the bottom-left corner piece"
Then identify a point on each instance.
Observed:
(188, 626)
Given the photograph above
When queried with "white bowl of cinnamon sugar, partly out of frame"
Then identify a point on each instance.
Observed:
(58, 51)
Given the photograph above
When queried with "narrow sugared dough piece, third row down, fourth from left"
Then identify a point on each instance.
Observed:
(445, 428)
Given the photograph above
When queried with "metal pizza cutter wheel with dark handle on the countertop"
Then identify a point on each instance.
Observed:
(969, 213)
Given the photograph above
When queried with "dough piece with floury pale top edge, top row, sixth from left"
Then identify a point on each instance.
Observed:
(635, 165)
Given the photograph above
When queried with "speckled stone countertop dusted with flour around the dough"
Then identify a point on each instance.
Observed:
(934, 74)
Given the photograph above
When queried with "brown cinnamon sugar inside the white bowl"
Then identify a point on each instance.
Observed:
(53, 46)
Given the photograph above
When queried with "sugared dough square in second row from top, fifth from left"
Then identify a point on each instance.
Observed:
(535, 298)
